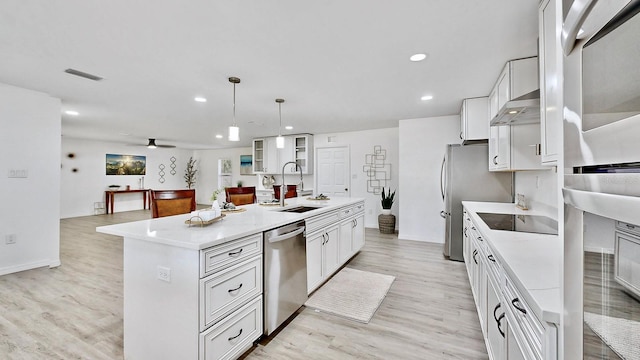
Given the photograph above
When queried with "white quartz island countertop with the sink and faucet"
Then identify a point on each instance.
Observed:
(172, 230)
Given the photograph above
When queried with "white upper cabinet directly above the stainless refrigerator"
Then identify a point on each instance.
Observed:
(474, 119)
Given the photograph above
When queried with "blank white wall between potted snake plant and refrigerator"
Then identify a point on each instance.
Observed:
(422, 147)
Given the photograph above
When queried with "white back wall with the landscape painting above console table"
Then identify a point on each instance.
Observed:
(81, 189)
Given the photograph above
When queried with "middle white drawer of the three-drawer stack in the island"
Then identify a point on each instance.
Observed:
(223, 292)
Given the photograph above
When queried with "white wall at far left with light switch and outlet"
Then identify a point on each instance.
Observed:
(30, 207)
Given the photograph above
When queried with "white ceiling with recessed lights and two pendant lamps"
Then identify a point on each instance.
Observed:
(340, 65)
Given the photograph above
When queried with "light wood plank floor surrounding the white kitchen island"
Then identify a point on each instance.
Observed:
(75, 311)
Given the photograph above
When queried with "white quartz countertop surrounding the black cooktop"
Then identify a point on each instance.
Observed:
(532, 261)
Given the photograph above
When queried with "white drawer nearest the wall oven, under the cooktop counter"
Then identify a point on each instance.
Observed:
(527, 323)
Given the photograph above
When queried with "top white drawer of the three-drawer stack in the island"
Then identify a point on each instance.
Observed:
(219, 257)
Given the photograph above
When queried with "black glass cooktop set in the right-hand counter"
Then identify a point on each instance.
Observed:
(522, 223)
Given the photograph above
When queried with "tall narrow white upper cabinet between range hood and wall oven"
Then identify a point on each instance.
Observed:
(551, 103)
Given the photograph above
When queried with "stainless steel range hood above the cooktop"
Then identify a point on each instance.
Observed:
(522, 110)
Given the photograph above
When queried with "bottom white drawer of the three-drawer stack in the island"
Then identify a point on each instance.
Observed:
(235, 335)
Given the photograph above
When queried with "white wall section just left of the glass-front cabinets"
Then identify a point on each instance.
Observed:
(208, 171)
